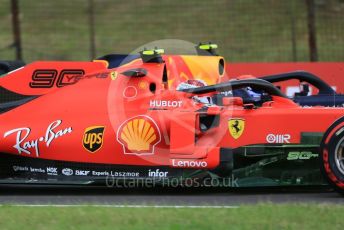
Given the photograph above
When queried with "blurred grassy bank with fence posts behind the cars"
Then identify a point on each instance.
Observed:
(245, 30)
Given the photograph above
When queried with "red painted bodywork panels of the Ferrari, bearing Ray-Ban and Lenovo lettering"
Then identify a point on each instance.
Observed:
(104, 116)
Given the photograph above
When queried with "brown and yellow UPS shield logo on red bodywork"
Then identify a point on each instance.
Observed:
(93, 138)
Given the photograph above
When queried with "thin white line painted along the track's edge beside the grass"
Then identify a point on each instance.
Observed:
(118, 206)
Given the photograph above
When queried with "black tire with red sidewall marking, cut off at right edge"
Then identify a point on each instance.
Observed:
(332, 155)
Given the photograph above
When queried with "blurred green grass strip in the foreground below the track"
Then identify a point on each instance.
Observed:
(262, 216)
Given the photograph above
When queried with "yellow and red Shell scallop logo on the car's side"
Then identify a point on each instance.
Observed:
(139, 135)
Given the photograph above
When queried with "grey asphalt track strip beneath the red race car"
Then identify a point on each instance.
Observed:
(76, 195)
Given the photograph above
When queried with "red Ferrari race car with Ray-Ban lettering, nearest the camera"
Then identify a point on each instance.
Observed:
(163, 118)
